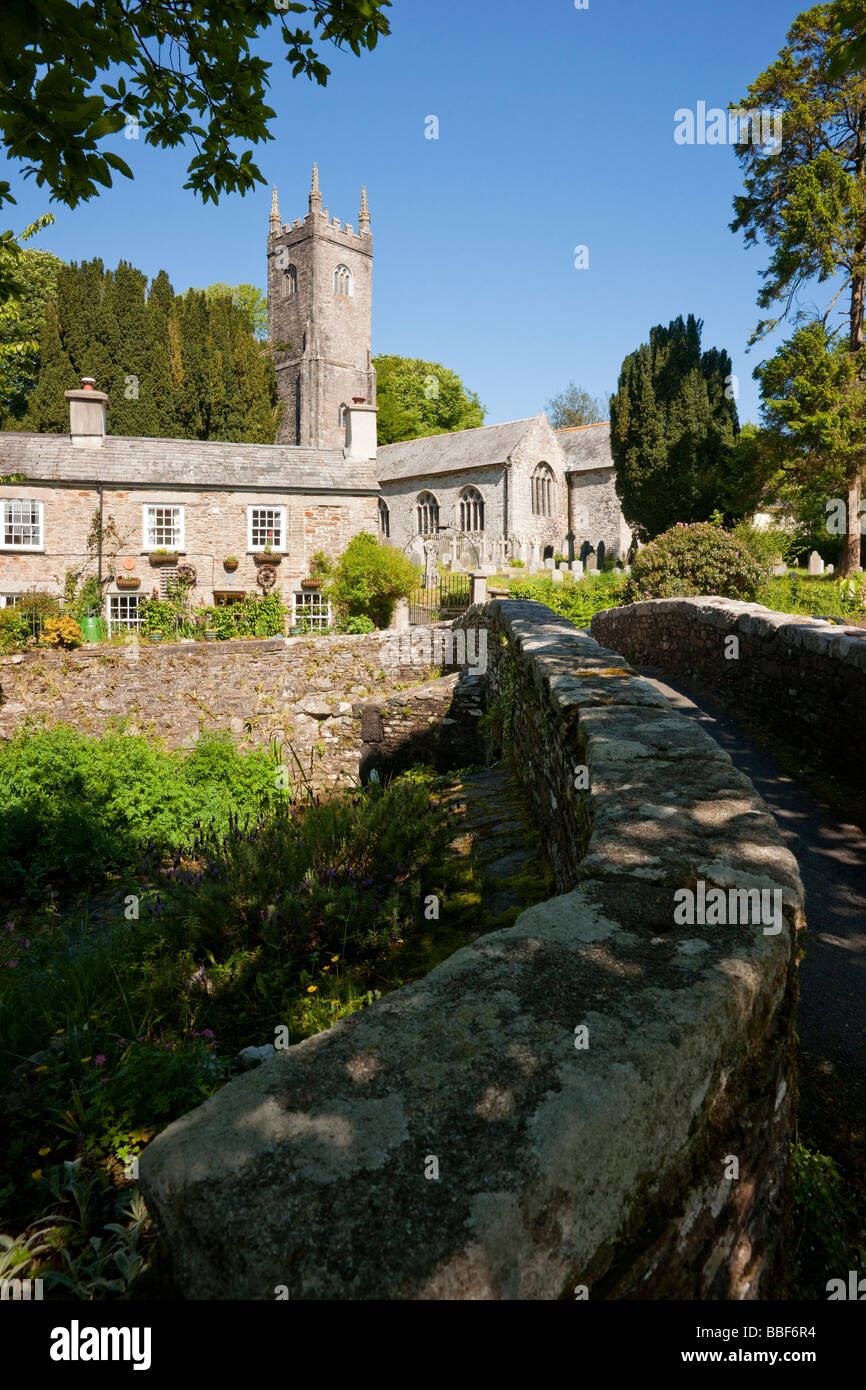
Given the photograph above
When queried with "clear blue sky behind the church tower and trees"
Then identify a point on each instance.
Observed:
(555, 131)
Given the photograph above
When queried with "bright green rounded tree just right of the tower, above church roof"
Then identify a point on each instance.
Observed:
(422, 398)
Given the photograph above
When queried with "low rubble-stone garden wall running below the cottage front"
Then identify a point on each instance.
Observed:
(337, 703)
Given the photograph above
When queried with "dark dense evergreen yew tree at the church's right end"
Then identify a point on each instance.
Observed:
(673, 426)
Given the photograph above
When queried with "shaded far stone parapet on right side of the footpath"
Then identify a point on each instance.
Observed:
(801, 678)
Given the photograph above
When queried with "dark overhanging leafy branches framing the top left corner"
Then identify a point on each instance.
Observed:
(186, 73)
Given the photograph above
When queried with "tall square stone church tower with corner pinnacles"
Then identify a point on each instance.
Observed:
(320, 302)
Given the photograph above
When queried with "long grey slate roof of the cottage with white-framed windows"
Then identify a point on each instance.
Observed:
(184, 464)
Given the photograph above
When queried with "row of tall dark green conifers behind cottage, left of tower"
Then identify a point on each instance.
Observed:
(180, 368)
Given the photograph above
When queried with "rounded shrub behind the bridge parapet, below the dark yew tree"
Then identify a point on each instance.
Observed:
(696, 559)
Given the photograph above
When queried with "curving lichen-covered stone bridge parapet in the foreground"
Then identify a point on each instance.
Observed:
(591, 1103)
